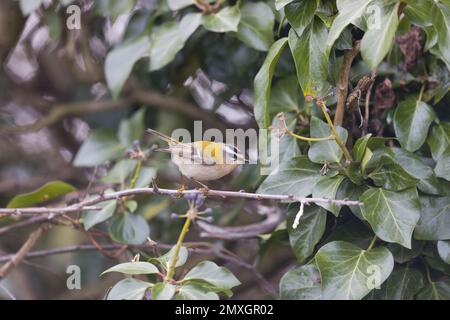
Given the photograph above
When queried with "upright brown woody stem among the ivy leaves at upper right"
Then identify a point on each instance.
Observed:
(344, 74)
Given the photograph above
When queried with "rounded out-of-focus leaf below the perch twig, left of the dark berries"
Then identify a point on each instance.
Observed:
(129, 228)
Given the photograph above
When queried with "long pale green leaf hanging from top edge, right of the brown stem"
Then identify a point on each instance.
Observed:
(379, 37)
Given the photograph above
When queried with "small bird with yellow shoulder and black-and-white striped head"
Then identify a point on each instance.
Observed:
(202, 160)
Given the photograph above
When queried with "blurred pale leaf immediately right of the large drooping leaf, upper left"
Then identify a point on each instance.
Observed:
(166, 43)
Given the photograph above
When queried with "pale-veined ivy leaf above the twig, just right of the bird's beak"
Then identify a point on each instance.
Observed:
(296, 176)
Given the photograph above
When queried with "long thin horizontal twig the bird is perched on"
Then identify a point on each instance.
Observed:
(88, 203)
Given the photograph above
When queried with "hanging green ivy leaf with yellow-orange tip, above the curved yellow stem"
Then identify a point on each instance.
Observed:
(311, 62)
